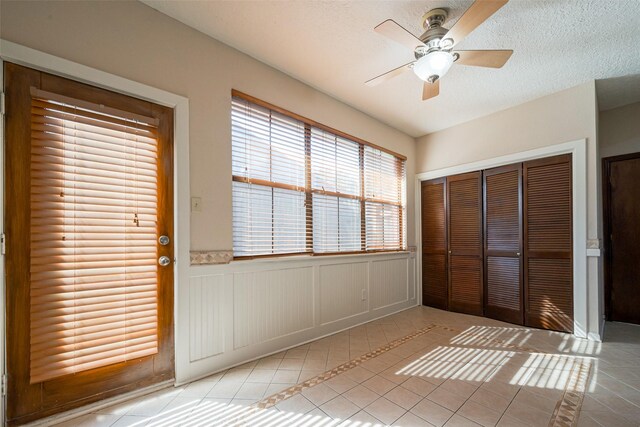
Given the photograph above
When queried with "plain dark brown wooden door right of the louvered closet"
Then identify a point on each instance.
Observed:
(622, 218)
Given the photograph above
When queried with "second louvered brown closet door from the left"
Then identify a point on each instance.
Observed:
(464, 195)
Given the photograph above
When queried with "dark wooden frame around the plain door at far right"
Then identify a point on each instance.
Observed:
(606, 223)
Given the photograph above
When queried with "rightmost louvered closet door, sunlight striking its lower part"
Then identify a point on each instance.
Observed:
(548, 243)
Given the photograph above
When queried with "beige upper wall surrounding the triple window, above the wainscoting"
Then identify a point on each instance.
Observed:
(132, 40)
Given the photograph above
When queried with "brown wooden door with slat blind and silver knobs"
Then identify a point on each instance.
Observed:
(88, 194)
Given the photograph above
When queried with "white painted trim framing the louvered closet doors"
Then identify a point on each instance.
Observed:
(578, 151)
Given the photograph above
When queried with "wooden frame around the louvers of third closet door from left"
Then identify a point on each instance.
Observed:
(497, 313)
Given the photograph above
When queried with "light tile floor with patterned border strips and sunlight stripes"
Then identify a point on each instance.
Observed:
(453, 370)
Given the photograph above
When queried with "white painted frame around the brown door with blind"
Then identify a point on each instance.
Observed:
(13, 52)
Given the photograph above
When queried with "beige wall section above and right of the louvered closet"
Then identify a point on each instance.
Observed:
(565, 116)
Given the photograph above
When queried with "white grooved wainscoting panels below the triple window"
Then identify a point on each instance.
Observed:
(247, 309)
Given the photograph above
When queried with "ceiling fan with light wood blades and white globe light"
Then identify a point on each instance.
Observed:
(433, 50)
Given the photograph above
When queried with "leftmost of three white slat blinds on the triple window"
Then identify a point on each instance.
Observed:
(268, 152)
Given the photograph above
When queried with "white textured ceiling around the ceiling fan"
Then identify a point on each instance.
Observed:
(331, 45)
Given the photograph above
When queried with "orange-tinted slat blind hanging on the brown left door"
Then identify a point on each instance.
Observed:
(93, 238)
